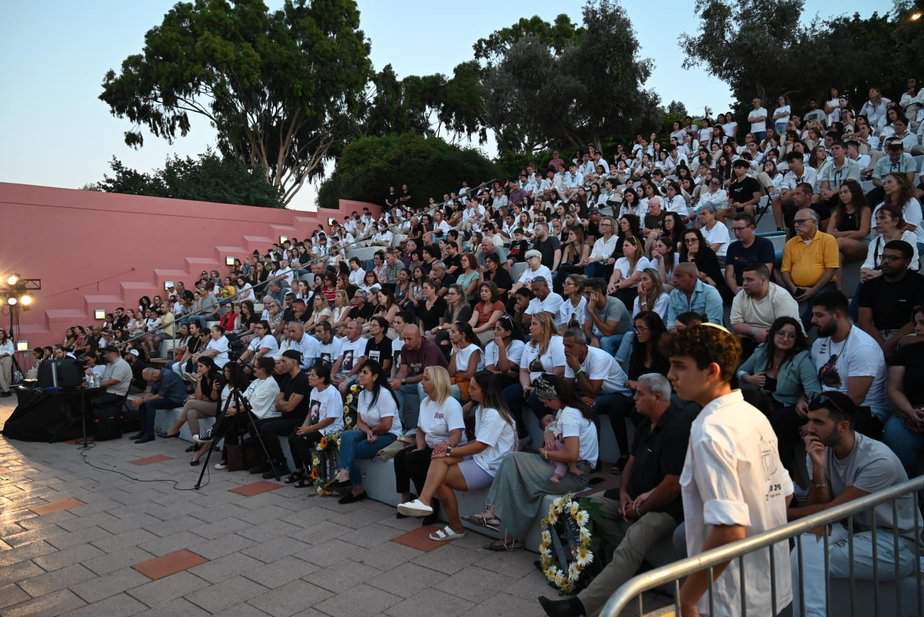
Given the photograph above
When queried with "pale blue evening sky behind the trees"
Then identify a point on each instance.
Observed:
(54, 131)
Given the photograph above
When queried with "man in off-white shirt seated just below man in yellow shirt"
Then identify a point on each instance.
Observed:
(758, 305)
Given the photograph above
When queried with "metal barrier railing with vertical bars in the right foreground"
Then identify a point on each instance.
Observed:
(634, 589)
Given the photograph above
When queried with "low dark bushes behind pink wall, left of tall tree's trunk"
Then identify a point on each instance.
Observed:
(207, 178)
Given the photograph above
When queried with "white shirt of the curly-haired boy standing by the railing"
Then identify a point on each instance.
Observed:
(732, 475)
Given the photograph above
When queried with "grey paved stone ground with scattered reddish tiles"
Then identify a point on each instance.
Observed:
(70, 535)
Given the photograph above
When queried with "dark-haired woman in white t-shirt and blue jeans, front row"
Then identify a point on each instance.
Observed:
(377, 425)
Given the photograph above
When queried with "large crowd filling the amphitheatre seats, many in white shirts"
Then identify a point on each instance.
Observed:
(494, 327)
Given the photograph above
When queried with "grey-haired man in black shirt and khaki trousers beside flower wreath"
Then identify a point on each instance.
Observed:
(649, 507)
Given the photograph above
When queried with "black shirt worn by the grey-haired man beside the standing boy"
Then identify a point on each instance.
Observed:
(660, 452)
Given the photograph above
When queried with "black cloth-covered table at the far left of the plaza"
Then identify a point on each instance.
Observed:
(47, 417)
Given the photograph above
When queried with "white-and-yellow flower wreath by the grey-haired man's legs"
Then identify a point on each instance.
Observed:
(564, 547)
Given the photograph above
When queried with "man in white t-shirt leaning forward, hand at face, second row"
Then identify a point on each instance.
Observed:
(601, 383)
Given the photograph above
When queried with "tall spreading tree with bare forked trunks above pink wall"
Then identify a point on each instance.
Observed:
(281, 89)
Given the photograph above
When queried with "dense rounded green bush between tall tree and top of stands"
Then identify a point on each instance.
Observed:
(428, 165)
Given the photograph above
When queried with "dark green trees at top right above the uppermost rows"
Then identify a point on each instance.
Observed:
(759, 48)
